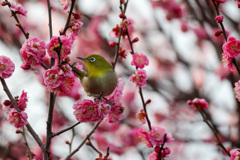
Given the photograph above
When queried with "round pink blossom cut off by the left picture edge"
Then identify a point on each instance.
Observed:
(7, 67)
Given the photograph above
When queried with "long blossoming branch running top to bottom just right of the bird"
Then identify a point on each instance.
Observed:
(156, 136)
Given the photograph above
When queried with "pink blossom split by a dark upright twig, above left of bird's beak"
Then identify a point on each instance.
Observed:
(54, 45)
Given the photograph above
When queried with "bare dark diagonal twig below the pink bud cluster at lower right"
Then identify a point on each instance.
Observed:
(213, 130)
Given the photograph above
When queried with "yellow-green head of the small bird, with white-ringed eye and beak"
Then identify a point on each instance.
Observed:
(95, 62)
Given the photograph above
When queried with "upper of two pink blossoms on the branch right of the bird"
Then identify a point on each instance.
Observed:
(139, 60)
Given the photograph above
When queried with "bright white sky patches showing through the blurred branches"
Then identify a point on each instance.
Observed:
(139, 10)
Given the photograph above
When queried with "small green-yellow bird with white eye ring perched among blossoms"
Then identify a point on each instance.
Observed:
(101, 77)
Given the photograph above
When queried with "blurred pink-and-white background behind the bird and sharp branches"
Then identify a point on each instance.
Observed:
(185, 62)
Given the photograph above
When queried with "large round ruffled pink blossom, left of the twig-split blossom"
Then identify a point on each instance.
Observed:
(33, 51)
